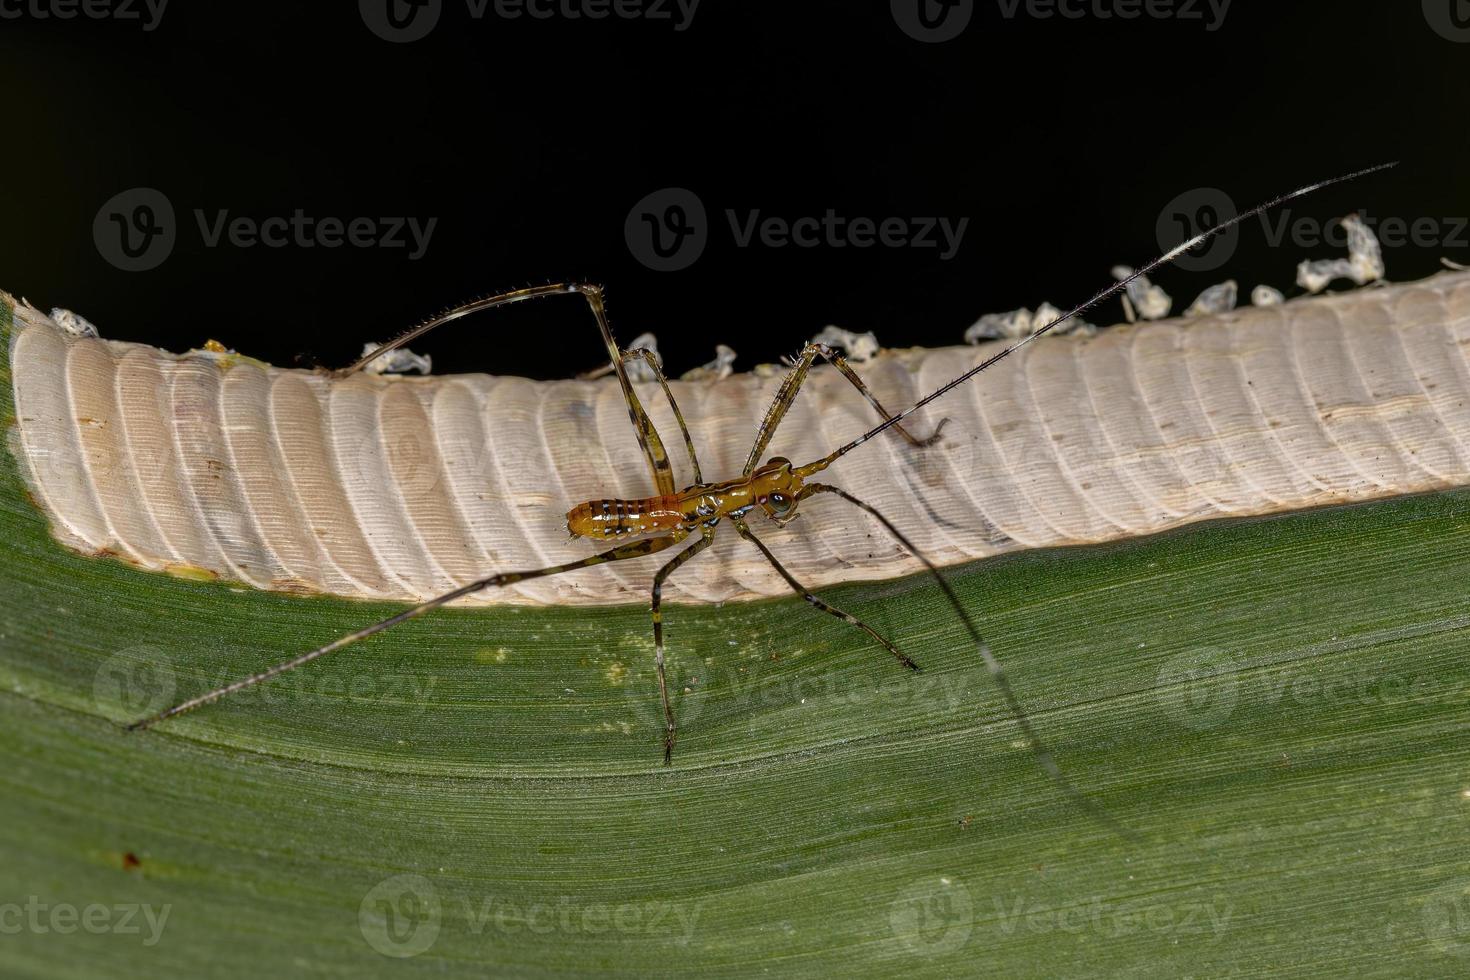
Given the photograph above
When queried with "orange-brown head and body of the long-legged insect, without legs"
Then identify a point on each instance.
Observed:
(774, 489)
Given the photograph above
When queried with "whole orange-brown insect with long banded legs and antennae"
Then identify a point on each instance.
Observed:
(687, 519)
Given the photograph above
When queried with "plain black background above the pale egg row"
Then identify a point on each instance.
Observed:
(530, 140)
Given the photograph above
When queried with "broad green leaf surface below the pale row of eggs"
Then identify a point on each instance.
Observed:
(1278, 709)
